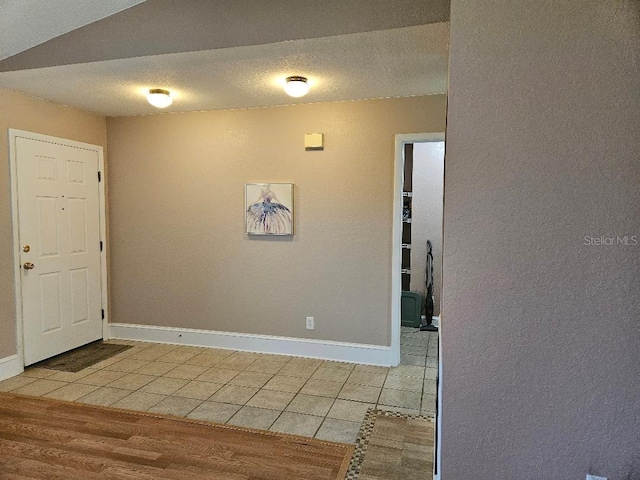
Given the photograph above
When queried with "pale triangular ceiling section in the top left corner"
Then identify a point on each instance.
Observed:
(27, 23)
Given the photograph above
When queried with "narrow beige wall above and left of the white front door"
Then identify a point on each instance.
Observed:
(27, 113)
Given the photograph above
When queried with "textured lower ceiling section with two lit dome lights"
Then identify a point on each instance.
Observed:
(388, 63)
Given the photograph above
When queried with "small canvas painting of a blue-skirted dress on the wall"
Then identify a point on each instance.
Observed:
(267, 215)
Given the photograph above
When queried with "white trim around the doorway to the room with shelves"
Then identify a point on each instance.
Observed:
(396, 243)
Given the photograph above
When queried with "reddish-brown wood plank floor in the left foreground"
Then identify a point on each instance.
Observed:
(50, 439)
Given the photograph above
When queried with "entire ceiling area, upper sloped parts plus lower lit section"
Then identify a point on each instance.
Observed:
(221, 54)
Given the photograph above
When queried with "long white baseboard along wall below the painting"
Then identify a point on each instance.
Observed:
(300, 347)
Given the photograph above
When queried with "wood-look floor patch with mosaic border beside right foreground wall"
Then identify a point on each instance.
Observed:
(393, 446)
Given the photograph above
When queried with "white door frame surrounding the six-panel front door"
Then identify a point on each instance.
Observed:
(13, 135)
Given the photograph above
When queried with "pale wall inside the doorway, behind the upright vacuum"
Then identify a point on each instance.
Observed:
(428, 189)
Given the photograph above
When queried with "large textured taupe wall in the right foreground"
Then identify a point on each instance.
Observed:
(541, 331)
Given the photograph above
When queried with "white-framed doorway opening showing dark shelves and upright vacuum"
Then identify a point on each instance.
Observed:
(417, 241)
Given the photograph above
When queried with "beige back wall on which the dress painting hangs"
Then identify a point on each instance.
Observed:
(179, 256)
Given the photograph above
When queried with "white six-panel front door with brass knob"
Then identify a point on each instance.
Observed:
(59, 235)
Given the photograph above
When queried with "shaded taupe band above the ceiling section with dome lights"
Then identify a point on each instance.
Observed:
(170, 26)
